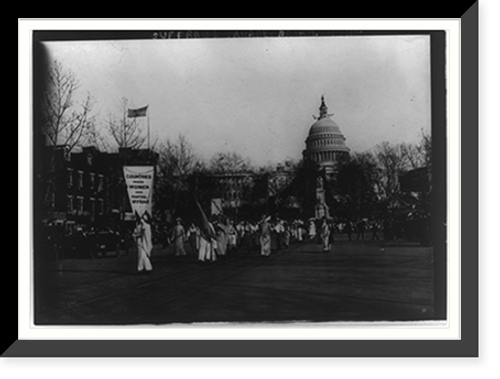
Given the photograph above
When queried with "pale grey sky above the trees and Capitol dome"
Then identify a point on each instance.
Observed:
(257, 96)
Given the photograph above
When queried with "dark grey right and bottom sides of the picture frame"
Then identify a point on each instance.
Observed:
(466, 346)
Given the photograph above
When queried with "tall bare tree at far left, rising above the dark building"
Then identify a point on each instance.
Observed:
(65, 122)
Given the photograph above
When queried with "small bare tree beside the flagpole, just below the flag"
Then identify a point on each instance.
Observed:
(125, 131)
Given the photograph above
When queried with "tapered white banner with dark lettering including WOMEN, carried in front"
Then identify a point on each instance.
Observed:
(139, 180)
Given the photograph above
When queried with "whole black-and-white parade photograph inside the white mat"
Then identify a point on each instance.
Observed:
(238, 177)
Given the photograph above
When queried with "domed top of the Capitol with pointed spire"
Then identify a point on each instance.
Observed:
(325, 143)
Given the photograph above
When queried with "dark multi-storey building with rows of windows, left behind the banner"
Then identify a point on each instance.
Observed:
(87, 188)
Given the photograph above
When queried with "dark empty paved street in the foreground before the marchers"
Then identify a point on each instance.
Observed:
(356, 281)
